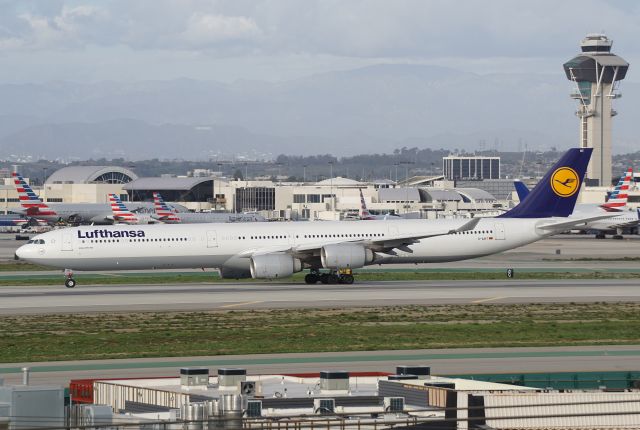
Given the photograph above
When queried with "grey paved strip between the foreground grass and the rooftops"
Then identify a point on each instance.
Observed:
(442, 362)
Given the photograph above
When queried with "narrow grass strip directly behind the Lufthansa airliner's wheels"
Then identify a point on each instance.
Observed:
(361, 276)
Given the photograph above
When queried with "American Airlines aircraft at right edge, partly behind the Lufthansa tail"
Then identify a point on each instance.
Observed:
(616, 203)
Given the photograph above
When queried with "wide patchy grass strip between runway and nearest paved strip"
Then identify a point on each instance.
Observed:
(139, 334)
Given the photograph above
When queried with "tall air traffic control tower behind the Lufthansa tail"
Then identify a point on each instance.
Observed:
(596, 73)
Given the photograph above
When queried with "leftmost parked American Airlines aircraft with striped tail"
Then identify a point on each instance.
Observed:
(72, 213)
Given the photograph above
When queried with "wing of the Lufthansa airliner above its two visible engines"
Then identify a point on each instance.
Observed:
(384, 245)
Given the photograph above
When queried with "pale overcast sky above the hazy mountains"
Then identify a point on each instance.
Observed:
(86, 41)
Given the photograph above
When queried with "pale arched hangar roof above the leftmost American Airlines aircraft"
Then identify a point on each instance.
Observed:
(92, 175)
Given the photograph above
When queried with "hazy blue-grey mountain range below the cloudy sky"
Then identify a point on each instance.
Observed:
(375, 108)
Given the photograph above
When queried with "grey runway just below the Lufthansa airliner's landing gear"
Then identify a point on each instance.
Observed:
(237, 295)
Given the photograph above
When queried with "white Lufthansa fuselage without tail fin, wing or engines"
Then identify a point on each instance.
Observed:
(230, 245)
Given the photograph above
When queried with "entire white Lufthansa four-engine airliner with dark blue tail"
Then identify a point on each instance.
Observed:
(277, 250)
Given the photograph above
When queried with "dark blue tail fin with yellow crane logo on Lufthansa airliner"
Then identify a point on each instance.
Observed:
(557, 192)
